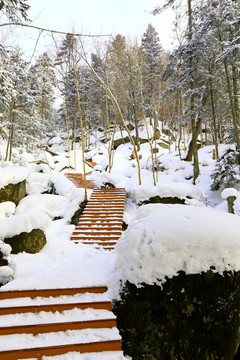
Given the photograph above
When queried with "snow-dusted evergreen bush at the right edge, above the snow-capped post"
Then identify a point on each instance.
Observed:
(227, 170)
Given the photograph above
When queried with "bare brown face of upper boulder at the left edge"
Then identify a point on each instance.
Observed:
(13, 192)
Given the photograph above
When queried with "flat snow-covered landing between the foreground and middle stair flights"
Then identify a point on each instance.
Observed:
(86, 265)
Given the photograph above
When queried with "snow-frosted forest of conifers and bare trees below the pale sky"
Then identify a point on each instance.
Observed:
(193, 90)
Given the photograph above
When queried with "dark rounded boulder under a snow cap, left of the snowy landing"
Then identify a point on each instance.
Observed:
(31, 242)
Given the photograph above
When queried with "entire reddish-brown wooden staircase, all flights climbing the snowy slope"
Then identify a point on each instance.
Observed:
(53, 322)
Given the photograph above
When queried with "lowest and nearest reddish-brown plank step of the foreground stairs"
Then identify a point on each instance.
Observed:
(111, 345)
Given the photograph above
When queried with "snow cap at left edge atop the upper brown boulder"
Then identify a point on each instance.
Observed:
(12, 175)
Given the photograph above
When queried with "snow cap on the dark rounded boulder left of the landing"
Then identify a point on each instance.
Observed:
(25, 222)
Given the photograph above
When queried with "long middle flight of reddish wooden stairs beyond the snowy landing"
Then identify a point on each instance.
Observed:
(101, 220)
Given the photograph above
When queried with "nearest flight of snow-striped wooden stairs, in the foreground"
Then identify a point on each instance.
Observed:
(51, 322)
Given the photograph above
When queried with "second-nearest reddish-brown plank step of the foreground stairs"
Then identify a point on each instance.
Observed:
(60, 326)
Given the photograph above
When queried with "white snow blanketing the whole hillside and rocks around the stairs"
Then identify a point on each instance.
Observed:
(160, 240)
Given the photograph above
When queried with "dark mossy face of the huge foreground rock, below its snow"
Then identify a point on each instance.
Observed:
(190, 317)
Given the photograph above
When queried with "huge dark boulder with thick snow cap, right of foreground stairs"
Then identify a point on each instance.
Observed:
(180, 267)
